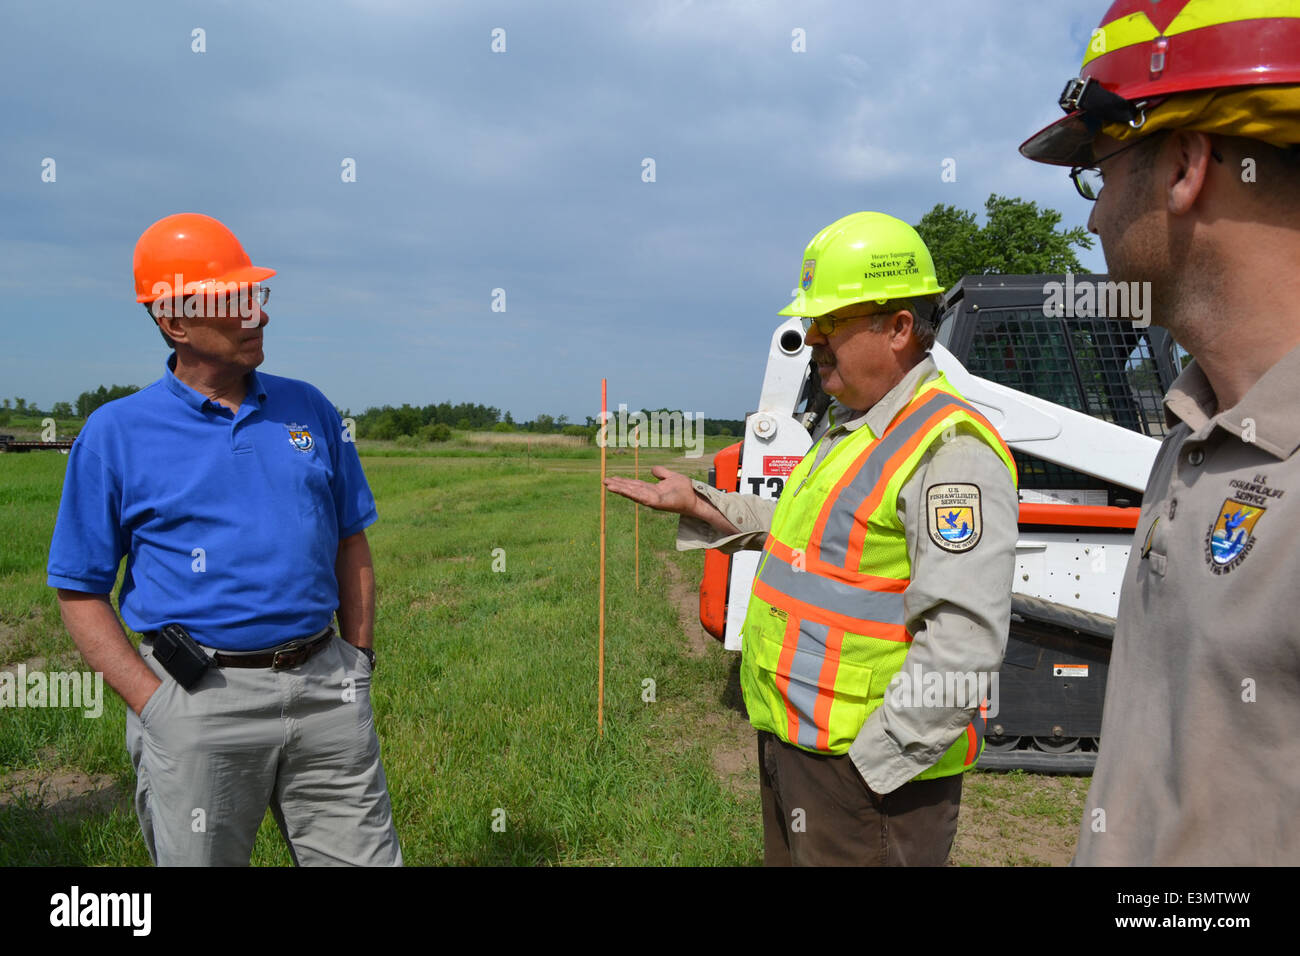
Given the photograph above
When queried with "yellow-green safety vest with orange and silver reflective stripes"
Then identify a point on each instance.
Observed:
(825, 633)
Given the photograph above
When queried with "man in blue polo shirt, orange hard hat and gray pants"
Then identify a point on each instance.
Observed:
(241, 509)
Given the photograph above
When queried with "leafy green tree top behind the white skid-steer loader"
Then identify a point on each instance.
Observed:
(1017, 239)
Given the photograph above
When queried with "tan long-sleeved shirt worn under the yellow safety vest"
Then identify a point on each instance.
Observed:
(957, 607)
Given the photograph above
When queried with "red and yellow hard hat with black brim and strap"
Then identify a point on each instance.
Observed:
(1149, 54)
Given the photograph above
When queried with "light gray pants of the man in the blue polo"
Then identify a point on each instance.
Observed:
(211, 760)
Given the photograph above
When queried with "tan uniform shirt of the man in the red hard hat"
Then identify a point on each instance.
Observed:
(1201, 737)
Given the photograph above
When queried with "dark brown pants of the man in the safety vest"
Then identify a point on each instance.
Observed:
(820, 812)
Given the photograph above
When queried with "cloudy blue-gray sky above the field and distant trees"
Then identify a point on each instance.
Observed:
(478, 171)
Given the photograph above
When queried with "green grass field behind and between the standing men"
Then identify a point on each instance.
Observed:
(487, 691)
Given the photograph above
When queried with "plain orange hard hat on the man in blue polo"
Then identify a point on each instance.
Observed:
(187, 254)
